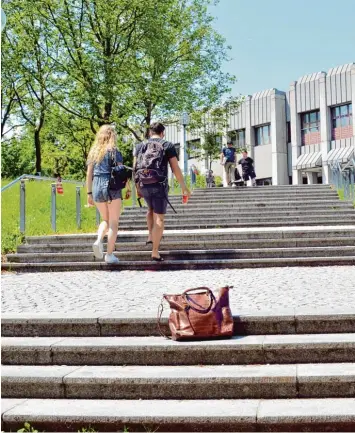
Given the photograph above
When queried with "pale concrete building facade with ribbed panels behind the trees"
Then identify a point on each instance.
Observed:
(293, 137)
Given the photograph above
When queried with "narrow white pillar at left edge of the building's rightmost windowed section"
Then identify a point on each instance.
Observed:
(295, 134)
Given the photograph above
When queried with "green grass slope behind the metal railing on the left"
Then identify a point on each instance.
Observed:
(38, 204)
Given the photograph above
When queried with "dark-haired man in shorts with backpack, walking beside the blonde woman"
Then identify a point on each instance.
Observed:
(151, 160)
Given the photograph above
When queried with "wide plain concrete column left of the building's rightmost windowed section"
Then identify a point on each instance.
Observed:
(278, 139)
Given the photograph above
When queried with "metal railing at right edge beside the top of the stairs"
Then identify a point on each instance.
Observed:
(343, 178)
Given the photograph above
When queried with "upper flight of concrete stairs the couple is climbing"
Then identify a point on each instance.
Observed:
(218, 228)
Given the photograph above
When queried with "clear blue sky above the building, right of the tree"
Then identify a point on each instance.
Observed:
(275, 42)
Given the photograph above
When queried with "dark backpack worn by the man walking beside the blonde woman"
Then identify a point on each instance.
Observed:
(149, 163)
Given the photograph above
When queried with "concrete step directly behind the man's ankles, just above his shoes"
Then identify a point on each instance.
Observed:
(193, 245)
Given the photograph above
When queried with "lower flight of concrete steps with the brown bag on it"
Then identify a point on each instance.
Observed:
(291, 371)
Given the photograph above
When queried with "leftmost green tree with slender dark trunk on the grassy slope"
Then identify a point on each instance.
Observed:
(27, 43)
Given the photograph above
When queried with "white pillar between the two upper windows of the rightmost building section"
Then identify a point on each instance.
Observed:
(325, 126)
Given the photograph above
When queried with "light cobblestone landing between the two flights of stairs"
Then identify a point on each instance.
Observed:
(254, 289)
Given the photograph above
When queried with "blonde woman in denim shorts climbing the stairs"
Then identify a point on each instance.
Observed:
(102, 156)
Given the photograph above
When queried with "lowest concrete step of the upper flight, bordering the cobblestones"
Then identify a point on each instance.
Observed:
(180, 264)
